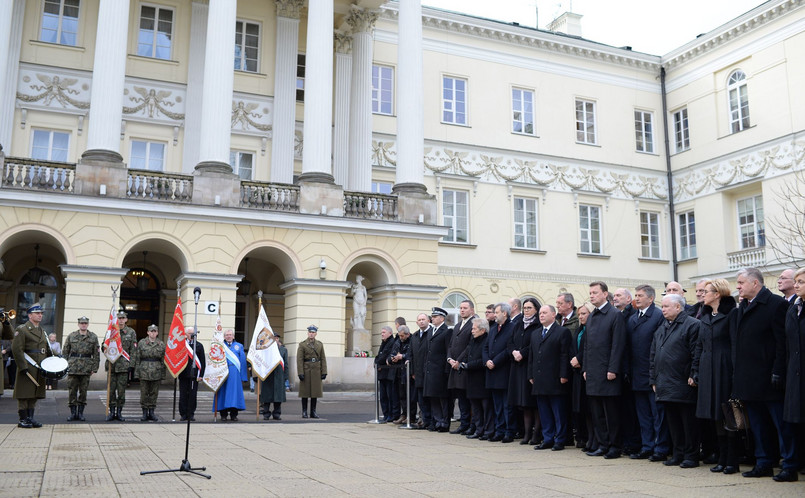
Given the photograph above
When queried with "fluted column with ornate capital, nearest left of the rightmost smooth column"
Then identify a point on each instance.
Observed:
(360, 104)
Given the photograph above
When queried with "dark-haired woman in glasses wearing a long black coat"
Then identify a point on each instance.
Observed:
(520, 394)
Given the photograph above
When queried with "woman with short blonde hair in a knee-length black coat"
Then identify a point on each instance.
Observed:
(715, 370)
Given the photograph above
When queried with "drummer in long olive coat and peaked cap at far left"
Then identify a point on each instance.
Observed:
(30, 346)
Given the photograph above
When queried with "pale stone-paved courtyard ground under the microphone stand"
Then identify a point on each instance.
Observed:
(340, 455)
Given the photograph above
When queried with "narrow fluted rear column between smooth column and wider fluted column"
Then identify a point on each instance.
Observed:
(343, 73)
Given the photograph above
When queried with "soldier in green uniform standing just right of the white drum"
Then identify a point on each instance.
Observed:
(83, 358)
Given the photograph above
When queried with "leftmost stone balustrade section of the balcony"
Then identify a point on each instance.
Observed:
(32, 174)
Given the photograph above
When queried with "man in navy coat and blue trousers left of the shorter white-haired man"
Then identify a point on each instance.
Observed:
(651, 417)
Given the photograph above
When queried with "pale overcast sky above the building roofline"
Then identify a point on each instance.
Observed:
(652, 26)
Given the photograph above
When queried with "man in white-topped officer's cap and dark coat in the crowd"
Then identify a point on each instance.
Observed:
(436, 371)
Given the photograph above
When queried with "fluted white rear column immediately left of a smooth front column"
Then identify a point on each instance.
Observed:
(284, 121)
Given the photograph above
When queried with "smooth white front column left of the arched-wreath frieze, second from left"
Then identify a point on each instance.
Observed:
(108, 79)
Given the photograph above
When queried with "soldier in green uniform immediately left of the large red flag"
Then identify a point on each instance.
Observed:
(149, 367)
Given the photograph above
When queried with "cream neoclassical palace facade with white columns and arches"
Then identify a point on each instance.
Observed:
(151, 147)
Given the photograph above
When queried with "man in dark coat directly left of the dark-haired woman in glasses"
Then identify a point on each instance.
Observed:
(497, 359)
